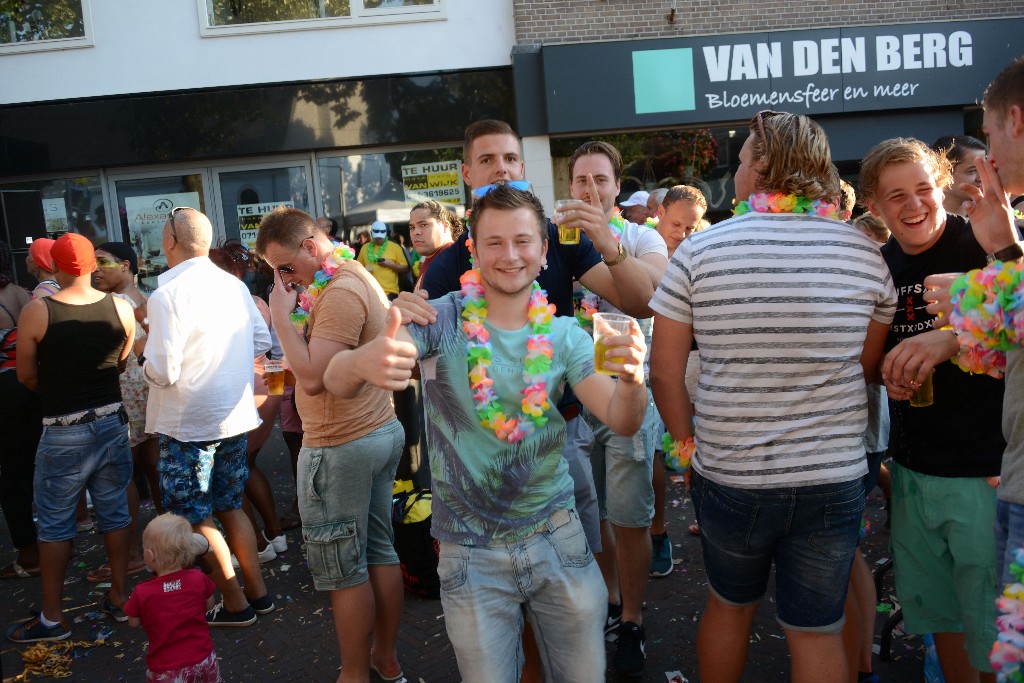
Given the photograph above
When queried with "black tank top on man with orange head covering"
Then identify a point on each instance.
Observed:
(78, 357)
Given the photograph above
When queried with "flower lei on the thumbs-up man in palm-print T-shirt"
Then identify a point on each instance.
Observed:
(536, 366)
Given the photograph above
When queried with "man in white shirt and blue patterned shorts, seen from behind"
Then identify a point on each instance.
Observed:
(204, 333)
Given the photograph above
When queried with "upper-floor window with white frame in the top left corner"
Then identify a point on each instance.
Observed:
(45, 25)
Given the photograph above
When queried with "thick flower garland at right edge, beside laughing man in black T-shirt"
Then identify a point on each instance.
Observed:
(989, 317)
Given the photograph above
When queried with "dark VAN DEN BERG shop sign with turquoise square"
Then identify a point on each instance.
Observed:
(630, 84)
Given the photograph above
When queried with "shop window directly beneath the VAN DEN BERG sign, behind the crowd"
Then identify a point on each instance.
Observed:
(704, 158)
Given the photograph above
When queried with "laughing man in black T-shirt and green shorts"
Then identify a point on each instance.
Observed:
(943, 507)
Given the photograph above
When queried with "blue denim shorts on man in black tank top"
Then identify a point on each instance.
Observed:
(94, 456)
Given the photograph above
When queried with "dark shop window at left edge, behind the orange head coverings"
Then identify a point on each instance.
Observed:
(71, 205)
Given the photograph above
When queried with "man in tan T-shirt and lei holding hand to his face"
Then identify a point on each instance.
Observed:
(351, 447)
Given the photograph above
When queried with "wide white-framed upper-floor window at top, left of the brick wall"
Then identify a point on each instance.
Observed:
(233, 17)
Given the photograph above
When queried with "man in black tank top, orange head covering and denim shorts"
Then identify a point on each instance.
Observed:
(72, 348)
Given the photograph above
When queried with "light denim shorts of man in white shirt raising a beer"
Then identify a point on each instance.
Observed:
(623, 471)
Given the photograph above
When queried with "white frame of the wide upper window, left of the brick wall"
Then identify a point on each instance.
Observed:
(360, 17)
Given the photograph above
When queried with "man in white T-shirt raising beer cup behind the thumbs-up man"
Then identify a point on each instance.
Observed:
(623, 465)
